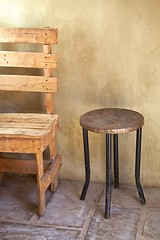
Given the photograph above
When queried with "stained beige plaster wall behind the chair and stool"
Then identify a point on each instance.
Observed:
(109, 56)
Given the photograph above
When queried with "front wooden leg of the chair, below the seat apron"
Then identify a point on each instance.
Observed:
(40, 188)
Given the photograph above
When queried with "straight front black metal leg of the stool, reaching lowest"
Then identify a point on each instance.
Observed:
(108, 174)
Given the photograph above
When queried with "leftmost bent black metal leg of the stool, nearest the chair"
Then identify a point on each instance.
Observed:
(87, 163)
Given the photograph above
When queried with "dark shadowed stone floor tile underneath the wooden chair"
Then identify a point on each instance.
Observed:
(18, 199)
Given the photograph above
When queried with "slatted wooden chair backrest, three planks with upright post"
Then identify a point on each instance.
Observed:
(45, 60)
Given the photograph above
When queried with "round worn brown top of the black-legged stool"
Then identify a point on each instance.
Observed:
(112, 120)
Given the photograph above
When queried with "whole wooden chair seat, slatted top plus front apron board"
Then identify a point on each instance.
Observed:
(26, 133)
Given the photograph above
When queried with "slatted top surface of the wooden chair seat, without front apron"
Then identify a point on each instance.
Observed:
(20, 125)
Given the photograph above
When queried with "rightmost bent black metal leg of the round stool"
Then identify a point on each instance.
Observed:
(137, 165)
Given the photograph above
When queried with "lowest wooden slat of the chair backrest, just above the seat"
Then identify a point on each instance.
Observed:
(28, 83)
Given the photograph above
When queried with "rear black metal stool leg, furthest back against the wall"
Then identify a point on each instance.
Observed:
(116, 165)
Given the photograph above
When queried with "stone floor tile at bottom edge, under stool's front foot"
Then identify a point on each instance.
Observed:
(121, 226)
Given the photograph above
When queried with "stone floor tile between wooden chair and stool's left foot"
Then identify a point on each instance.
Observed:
(66, 209)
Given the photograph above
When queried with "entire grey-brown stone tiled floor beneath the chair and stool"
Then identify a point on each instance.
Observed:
(69, 218)
